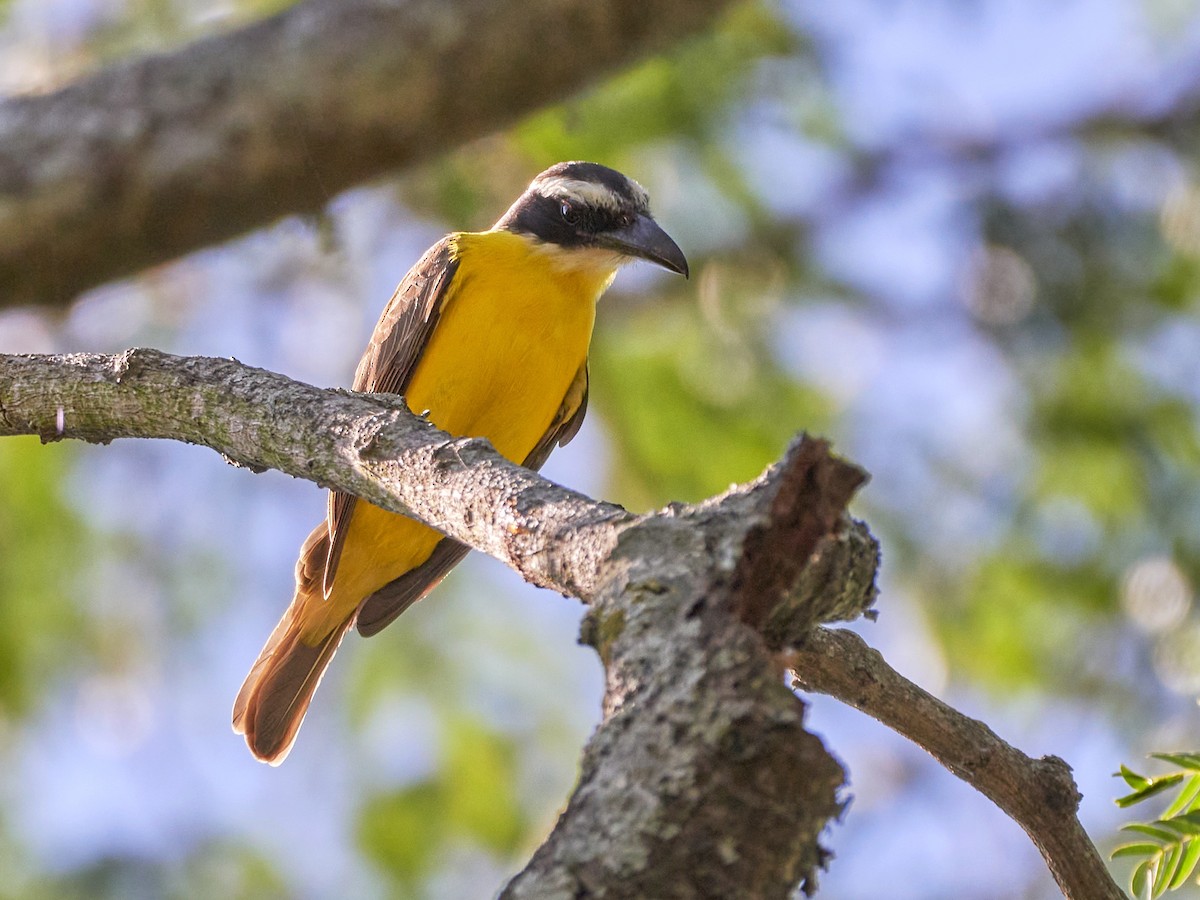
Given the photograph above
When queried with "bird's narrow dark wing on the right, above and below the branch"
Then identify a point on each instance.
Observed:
(382, 608)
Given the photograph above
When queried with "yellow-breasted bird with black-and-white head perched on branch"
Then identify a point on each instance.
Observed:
(488, 335)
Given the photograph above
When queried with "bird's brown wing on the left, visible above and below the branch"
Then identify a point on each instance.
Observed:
(397, 345)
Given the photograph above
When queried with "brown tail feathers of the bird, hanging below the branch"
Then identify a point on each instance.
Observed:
(275, 697)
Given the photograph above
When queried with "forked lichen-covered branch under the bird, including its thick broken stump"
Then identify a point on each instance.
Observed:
(701, 781)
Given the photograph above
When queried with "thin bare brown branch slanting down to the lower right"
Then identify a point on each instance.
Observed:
(1040, 795)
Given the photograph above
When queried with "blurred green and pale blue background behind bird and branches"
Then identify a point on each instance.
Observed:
(962, 238)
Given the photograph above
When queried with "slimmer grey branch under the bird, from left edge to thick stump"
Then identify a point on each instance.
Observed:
(370, 446)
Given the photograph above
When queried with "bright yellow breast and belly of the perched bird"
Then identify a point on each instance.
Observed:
(514, 331)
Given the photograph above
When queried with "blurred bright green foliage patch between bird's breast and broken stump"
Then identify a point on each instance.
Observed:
(693, 416)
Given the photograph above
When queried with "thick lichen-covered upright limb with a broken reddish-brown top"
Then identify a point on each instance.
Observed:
(691, 683)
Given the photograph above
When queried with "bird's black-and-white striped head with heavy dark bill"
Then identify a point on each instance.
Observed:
(586, 212)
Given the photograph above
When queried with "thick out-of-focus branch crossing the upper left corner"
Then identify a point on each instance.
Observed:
(157, 157)
